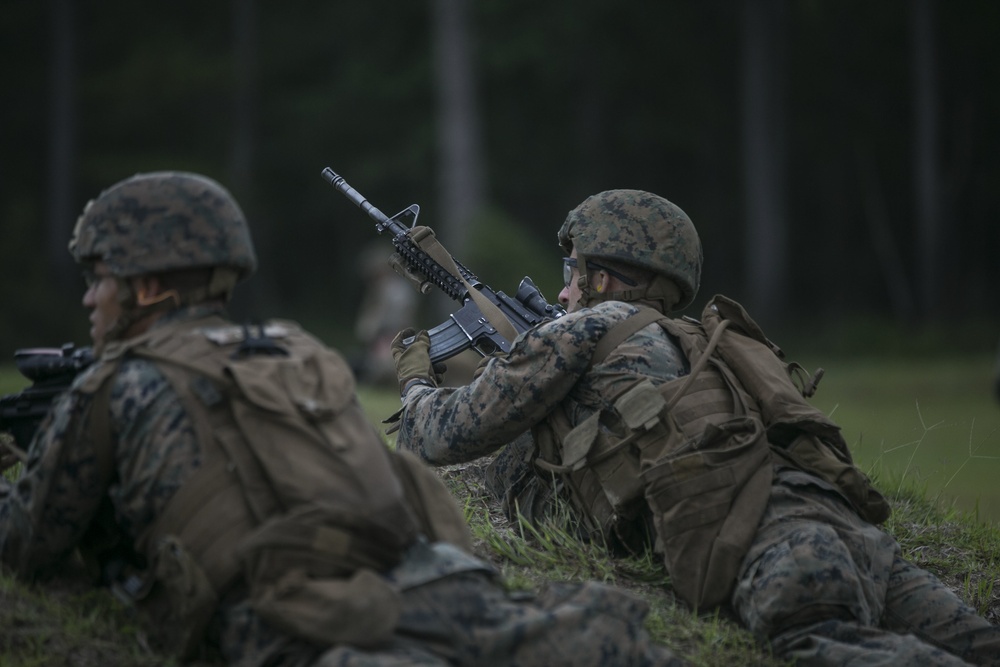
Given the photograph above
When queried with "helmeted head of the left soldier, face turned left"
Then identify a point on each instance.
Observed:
(185, 229)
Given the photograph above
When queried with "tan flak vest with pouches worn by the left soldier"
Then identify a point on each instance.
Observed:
(297, 498)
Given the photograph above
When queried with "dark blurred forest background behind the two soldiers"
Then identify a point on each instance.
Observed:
(840, 158)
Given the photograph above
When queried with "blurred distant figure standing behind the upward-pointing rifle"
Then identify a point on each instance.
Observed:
(389, 304)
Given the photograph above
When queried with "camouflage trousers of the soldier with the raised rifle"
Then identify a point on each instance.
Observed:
(827, 588)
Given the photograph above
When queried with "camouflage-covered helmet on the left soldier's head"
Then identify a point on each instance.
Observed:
(164, 221)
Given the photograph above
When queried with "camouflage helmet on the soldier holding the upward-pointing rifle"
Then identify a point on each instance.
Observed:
(638, 228)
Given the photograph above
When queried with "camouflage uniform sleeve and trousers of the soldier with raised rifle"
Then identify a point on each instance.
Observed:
(821, 584)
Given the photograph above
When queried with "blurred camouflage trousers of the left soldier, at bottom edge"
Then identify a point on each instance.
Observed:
(468, 620)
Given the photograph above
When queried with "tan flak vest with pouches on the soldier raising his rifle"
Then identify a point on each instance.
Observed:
(692, 460)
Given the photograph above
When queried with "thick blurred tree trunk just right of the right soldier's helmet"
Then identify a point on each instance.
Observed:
(764, 157)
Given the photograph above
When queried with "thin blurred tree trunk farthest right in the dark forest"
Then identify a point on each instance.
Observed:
(931, 241)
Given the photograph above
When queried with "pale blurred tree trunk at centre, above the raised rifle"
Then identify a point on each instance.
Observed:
(460, 145)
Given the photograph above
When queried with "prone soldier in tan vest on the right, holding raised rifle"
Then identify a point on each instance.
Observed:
(691, 438)
